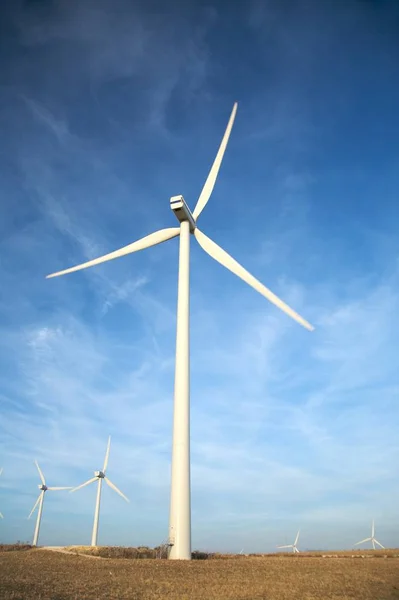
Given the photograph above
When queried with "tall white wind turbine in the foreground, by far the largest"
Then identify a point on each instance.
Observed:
(180, 503)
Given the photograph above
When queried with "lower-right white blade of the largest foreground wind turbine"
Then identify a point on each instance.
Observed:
(221, 256)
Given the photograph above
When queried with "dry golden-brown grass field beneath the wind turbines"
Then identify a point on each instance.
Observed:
(37, 574)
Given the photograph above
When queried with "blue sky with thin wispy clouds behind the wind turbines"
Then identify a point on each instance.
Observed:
(108, 109)
